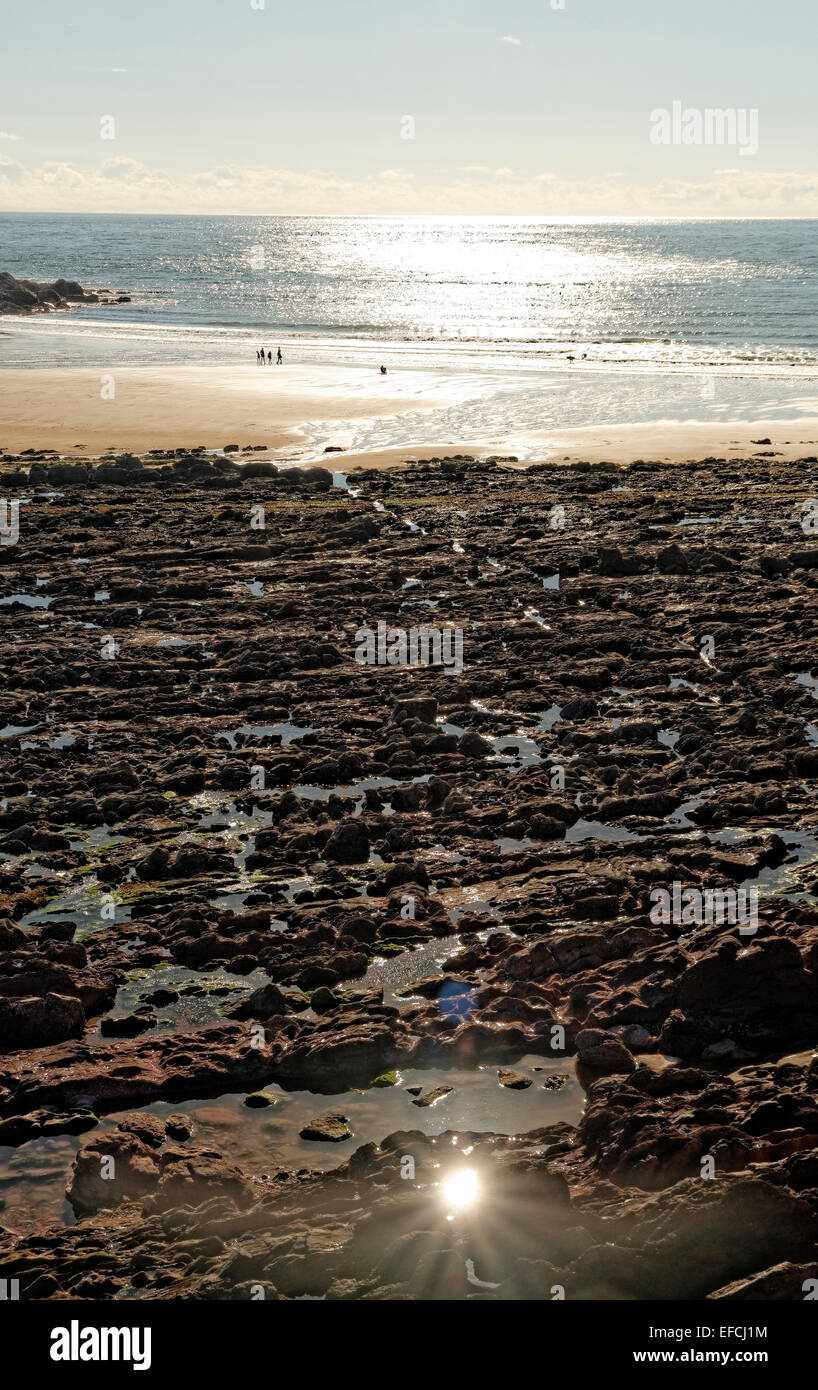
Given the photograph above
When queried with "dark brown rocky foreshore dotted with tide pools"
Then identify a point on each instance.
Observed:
(328, 976)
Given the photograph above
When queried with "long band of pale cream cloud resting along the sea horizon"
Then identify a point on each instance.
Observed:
(126, 186)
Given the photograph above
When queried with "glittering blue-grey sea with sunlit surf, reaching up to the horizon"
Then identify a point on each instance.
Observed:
(514, 325)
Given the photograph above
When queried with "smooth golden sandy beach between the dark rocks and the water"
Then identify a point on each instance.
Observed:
(163, 408)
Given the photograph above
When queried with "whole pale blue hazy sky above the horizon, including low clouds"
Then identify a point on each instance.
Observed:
(454, 108)
